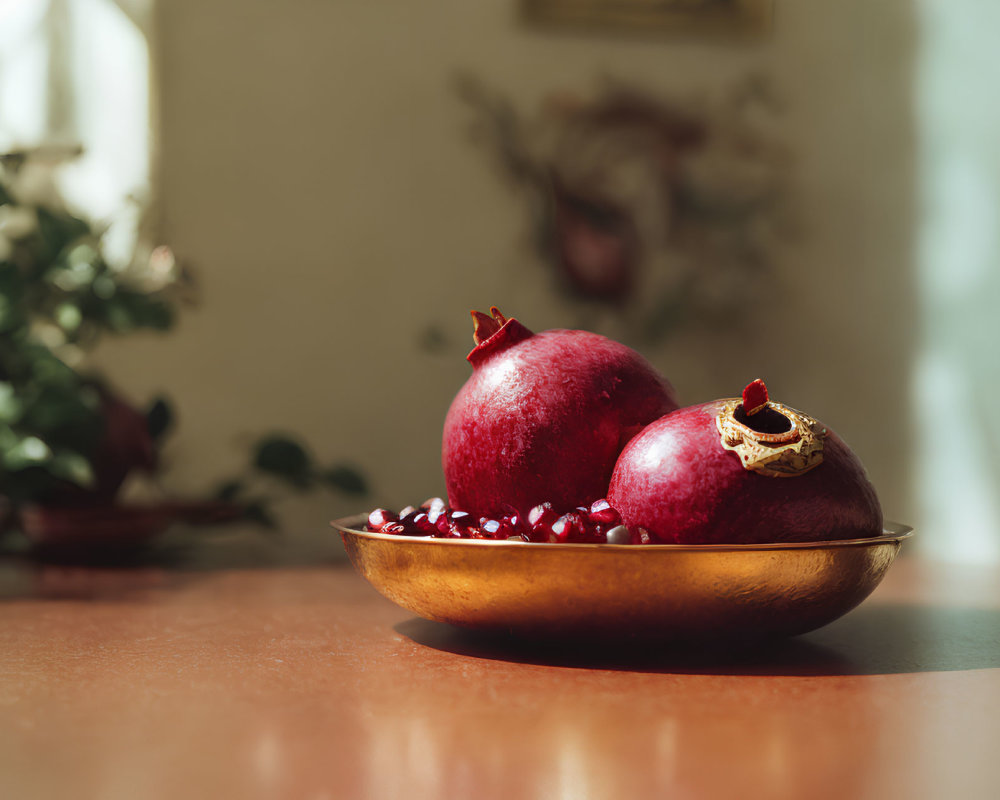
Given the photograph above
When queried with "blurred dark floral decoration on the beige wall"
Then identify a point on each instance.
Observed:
(659, 209)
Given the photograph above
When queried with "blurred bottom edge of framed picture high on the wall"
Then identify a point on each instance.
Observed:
(668, 17)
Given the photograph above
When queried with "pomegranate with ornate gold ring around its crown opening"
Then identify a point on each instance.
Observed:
(743, 471)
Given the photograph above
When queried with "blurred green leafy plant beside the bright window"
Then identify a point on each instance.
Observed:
(66, 438)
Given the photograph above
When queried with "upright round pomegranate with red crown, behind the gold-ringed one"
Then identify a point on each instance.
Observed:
(543, 417)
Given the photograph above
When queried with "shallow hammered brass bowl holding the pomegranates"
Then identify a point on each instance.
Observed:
(599, 591)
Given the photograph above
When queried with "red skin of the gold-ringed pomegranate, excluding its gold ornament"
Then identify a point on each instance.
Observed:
(676, 480)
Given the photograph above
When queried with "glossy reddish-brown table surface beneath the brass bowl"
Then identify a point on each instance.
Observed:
(305, 683)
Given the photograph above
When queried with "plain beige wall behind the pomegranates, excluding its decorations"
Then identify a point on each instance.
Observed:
(315, 170)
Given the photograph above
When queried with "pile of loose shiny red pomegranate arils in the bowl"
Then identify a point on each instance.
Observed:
(597, 524)
